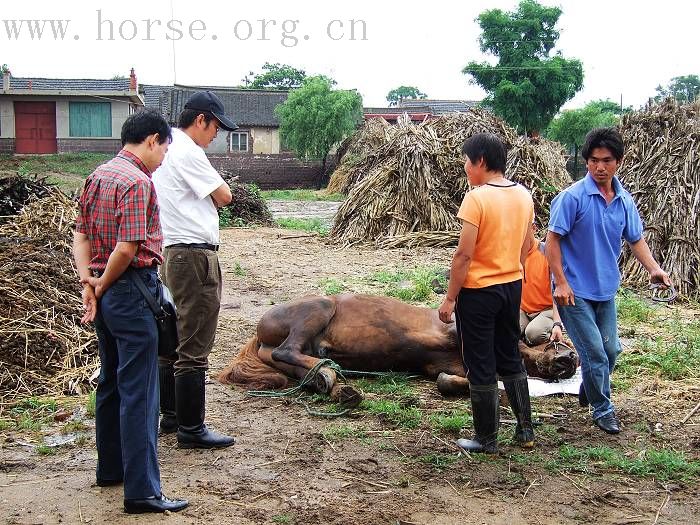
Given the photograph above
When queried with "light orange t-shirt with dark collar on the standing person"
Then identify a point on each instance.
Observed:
(503, 215)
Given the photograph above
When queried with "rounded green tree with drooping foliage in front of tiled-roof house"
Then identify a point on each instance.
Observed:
(315, 117)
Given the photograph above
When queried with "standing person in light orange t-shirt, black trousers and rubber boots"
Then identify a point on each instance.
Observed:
(485, 289)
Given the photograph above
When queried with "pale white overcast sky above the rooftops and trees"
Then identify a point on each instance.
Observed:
(627, 49)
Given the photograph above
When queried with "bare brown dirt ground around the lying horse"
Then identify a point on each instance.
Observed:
(283, 470)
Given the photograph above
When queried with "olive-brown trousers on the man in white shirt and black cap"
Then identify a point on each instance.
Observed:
(193, 276)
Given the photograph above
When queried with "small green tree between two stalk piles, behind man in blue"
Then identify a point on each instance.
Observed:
(571, 126)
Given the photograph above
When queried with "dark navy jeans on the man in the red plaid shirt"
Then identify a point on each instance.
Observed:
(126, 409)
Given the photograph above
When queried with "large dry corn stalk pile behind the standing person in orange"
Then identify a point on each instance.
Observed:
(405, 182)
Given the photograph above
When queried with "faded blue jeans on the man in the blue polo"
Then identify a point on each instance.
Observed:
(592, 327)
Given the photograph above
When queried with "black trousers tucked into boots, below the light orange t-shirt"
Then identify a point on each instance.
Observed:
(488, 328)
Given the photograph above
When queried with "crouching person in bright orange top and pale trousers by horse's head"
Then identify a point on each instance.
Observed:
(539, 318)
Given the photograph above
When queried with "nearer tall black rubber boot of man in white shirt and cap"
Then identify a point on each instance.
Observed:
(192, 432)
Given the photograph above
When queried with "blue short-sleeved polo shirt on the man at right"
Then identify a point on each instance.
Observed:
(591, 236)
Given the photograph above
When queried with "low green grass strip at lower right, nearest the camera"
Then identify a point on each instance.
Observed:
(664, 465)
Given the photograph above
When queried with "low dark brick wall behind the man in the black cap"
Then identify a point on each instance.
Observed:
(268, 172)
